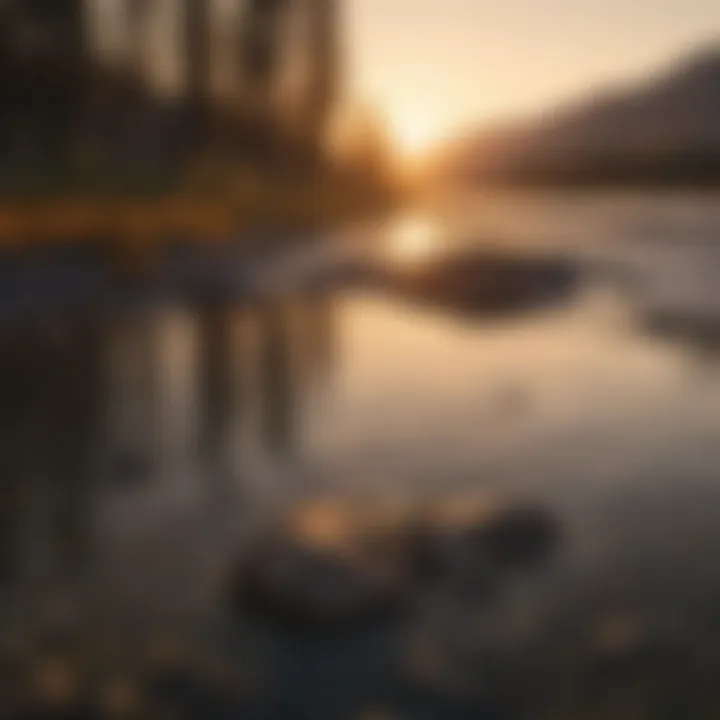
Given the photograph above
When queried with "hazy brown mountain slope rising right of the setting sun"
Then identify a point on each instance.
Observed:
(664, 131)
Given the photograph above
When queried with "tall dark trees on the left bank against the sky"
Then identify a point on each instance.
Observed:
(97, 83)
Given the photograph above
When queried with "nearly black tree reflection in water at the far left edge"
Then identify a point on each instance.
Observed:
(49, 434)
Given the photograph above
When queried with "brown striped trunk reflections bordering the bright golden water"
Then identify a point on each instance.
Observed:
(258, 365)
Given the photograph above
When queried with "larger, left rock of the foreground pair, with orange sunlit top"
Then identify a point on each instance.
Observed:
(323, 569)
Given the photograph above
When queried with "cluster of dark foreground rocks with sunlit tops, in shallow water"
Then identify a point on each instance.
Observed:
(331, 565)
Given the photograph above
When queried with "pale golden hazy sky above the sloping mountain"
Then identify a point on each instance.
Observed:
(436, 65)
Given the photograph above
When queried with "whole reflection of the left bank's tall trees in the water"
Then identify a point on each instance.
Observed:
(77, 390)
